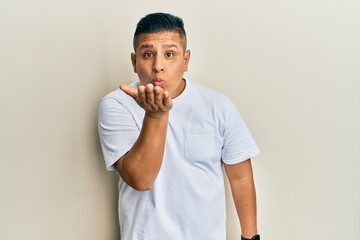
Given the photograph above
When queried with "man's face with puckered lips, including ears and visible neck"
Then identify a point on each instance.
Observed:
(161, 60)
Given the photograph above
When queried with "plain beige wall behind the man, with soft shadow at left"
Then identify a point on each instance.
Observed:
(292, 67)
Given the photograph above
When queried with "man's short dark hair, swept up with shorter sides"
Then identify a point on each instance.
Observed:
(159, 22)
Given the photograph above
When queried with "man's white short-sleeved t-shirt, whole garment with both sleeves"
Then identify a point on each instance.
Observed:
(187, 200)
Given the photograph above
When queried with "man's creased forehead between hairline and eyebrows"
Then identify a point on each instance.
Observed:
(159, 39)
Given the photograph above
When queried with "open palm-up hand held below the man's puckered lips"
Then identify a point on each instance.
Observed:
(154, 100)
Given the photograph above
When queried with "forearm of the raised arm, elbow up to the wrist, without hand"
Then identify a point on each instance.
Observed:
(141, 165)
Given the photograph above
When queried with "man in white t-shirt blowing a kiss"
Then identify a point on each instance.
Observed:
(168, 139)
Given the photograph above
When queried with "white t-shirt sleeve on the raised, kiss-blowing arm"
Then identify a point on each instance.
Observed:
(117, 130)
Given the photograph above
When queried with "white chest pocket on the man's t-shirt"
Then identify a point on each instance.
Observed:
(201, 144)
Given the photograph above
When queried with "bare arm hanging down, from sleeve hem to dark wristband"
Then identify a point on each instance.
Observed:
(241, 180)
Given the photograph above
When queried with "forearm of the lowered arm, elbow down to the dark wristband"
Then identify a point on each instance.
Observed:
(245, 201)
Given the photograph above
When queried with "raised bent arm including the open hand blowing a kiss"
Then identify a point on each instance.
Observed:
(141, 164)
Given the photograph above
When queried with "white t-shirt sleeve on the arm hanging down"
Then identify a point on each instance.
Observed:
(238, 143)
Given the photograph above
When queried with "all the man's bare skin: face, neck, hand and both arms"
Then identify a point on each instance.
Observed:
(160, 62)
